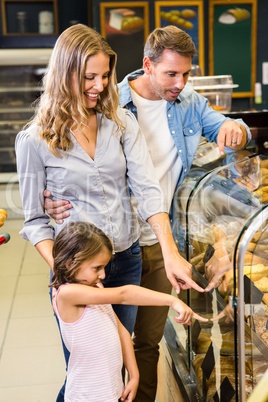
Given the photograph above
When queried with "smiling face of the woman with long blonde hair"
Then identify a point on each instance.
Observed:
(95, 79)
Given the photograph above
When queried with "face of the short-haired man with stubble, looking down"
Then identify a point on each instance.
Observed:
(169, 76)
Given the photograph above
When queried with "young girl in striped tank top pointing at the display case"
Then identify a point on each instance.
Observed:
(98, 343)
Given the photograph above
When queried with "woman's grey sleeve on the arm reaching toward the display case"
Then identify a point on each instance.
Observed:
(141, 174)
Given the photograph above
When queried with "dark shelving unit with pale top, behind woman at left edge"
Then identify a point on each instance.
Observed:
(21, 71)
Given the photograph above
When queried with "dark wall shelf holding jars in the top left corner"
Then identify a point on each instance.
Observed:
(32, 8)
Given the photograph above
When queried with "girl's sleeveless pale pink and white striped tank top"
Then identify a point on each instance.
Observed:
(95, 365)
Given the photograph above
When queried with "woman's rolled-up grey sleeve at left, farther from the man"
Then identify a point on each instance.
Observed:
(32, 182)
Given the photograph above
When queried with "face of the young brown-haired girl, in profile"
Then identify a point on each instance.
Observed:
(91, 272)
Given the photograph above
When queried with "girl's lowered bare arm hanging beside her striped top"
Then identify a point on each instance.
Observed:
(129, 363)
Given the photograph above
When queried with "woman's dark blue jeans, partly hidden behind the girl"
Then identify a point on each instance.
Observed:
(123, 269)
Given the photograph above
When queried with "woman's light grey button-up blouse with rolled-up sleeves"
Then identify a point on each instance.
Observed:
(97, 189)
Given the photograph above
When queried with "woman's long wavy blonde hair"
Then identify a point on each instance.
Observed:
(58, 107)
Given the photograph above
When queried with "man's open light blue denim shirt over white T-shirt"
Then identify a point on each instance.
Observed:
(189, 118)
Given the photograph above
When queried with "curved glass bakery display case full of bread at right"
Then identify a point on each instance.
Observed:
(221, 227)
